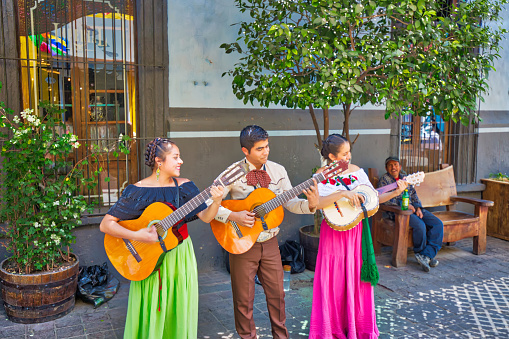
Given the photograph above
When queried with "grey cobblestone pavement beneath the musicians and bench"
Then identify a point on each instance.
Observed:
(466, 296)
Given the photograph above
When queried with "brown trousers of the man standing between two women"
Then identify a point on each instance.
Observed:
(262, 259)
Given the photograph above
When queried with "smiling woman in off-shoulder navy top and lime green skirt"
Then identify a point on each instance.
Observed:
(164, 305)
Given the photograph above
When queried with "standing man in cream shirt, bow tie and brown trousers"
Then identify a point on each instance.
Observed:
(263, 258)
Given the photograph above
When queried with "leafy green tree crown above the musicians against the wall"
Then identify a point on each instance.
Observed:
(324, 53)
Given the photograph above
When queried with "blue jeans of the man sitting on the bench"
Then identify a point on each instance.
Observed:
(428, 233)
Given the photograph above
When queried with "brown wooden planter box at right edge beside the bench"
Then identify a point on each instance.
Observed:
(497, 190)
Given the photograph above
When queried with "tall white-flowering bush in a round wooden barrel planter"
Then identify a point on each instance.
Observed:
(42, 202)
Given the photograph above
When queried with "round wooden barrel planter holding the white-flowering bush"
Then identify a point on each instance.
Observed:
(39, 297)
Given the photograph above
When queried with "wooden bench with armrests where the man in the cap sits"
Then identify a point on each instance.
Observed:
(438, 189)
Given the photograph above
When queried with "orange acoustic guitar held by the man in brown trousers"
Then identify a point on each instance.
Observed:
(268, 211)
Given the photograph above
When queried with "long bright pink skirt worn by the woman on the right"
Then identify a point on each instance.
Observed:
(343, 305)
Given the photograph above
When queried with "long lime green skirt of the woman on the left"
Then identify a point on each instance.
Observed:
(178, 299)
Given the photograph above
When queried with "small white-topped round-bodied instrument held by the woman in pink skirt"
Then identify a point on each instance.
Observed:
(342, 216)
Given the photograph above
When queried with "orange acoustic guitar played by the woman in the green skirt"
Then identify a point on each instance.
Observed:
(136, 260)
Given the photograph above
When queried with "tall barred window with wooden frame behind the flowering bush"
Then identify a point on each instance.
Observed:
(104, 62)
